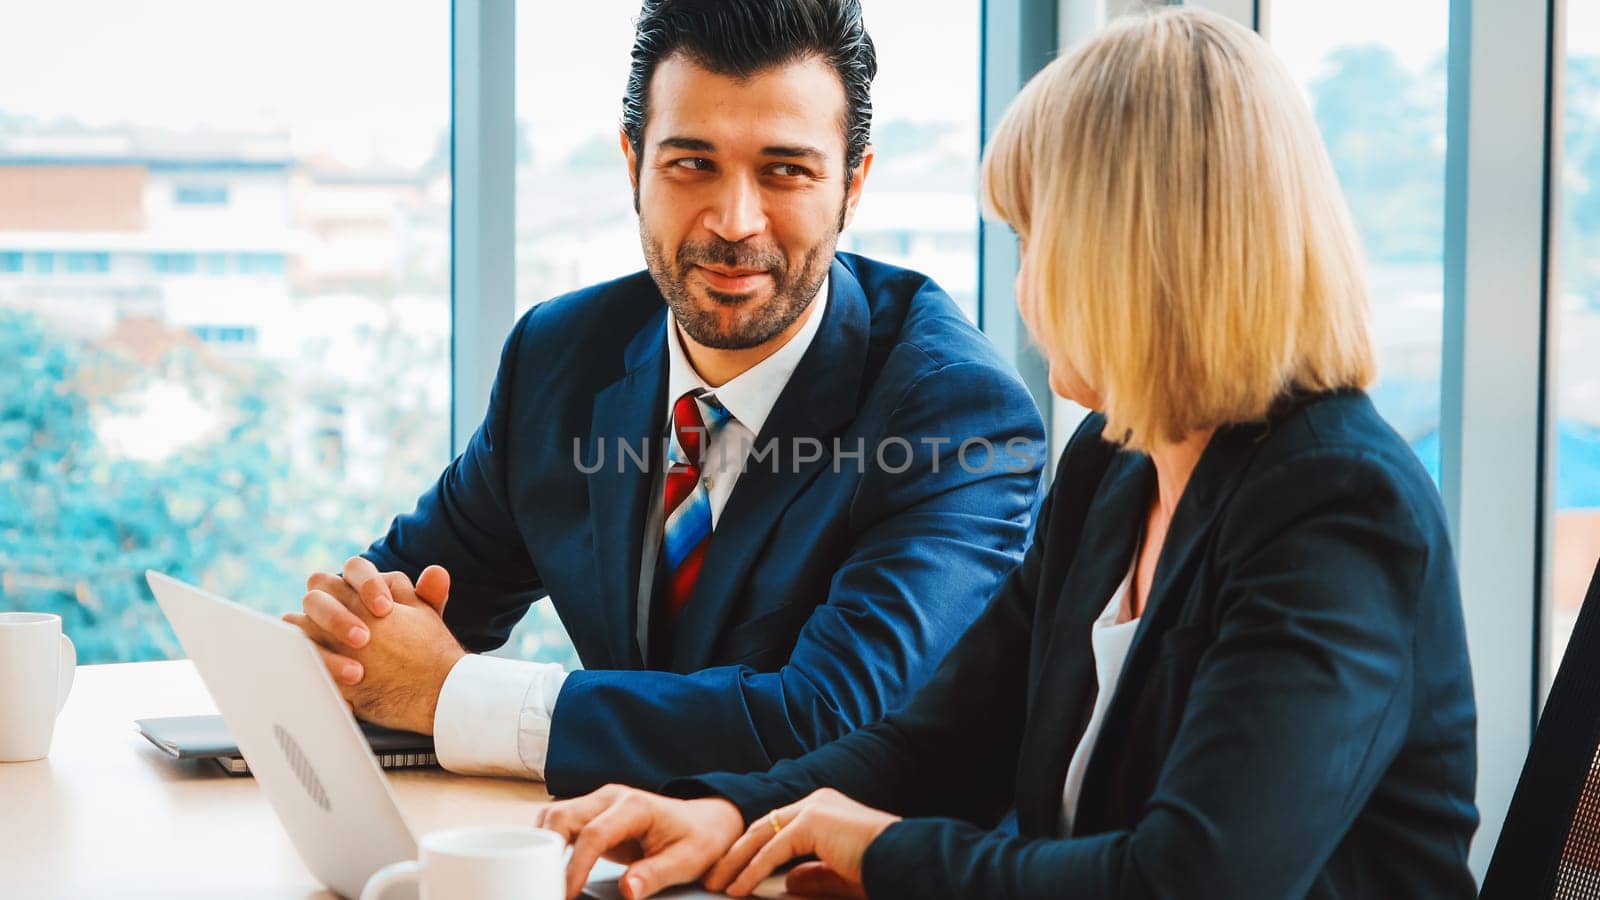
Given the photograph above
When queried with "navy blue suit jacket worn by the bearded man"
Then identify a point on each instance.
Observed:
(831, 587)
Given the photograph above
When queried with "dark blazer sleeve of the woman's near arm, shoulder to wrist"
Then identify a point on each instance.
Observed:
(1295, 713)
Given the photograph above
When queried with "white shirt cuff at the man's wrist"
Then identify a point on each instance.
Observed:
(494, 717)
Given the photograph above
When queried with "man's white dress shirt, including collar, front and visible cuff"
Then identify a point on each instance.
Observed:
(495, 715)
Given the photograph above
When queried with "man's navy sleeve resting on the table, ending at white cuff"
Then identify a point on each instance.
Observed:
(932, 547)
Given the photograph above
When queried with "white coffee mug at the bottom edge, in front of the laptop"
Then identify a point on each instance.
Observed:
(489, 862)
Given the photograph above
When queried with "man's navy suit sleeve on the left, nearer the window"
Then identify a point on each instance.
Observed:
(465, 524)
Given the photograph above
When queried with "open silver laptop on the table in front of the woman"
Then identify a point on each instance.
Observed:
(302, 742)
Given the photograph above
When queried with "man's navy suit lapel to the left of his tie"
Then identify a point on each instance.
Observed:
(630, 411)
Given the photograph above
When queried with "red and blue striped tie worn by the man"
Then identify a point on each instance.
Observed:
(687, 504)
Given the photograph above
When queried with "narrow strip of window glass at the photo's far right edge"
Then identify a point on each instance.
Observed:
(1577, 331)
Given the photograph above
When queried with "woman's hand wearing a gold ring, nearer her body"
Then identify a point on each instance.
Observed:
(826, 824)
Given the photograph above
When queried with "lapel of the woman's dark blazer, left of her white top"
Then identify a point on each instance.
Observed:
(1065, 691)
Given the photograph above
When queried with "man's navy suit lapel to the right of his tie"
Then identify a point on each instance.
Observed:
(822, 396)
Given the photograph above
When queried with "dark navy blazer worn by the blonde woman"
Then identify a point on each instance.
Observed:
(1295, 718)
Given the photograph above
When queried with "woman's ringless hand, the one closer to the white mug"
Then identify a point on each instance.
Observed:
(663, 840)
